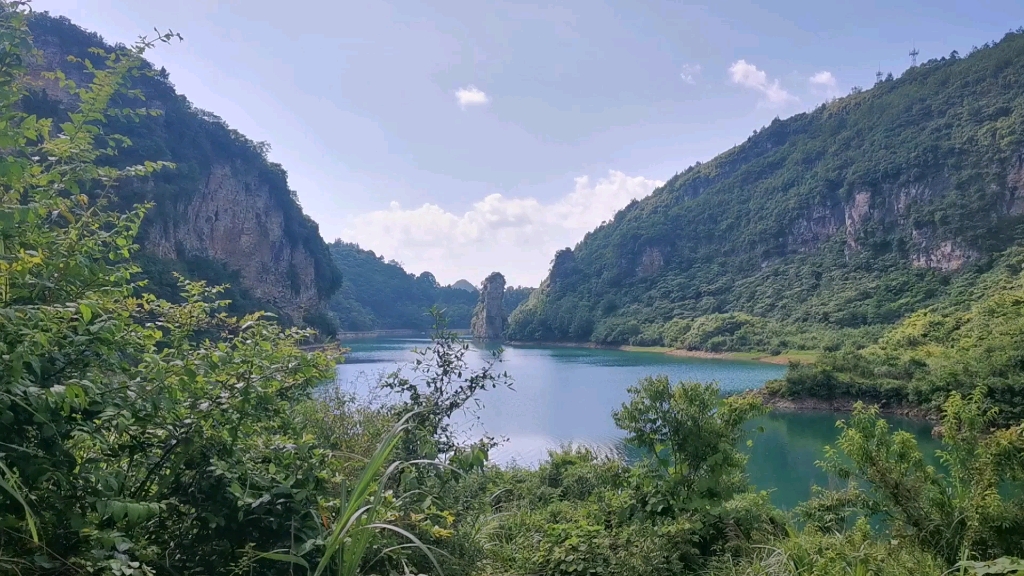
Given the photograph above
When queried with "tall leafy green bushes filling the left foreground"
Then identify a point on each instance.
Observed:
(139, 436)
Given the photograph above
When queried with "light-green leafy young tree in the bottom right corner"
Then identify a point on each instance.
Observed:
(960, 515)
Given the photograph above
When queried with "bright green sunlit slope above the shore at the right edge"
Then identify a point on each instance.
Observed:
(973, 338)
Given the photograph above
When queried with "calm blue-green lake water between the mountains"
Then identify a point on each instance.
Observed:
(567, 395)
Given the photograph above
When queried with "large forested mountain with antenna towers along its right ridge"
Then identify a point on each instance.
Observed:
(847, 218)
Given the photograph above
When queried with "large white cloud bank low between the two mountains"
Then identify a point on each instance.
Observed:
(516, 236)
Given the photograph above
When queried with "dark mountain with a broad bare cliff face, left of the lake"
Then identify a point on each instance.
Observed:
(225, 214)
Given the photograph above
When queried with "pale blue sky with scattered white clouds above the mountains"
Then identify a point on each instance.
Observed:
(464, 138)
